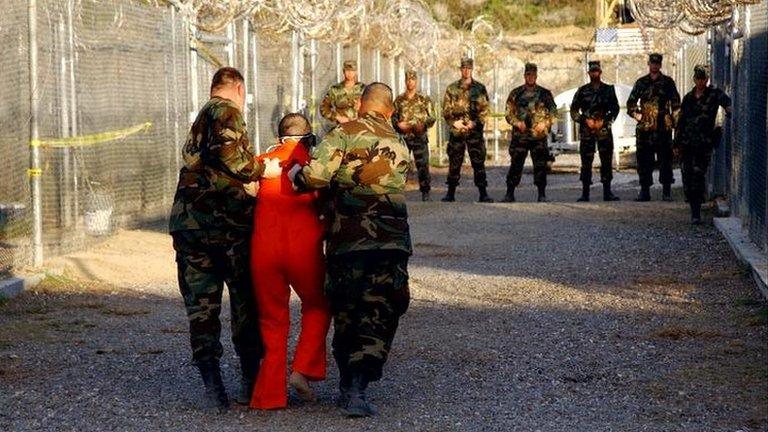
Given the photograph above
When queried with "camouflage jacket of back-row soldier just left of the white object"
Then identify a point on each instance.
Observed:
(532, 107)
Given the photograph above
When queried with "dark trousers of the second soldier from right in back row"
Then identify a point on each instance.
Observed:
(653, 146)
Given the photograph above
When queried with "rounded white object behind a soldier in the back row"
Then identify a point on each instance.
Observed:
(565, 135)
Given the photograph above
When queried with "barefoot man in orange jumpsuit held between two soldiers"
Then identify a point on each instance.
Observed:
(287, 252)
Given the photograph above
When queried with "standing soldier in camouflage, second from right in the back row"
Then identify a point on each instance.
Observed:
(655, 103)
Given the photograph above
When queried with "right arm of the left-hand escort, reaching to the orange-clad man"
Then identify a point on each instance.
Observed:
(229, 150)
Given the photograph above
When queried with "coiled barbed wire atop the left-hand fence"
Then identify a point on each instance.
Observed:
(404, 28)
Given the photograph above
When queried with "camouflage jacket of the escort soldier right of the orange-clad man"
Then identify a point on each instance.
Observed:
(365, 164)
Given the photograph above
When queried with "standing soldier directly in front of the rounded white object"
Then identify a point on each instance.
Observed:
(594, 108)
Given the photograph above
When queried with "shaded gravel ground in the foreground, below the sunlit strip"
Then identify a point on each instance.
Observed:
(89, 357)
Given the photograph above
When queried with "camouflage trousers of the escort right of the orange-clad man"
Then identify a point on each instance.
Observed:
(368, 292)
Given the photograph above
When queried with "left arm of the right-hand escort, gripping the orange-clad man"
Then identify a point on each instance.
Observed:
(325, 163)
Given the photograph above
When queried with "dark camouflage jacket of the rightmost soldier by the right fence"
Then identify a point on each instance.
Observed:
(696, 126)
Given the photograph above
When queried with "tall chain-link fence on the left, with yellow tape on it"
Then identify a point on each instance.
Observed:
(118, 83)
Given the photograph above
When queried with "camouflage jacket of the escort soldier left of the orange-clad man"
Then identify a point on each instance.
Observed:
(217, 161)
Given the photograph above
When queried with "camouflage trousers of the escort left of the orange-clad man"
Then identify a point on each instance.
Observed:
(206, 259)
